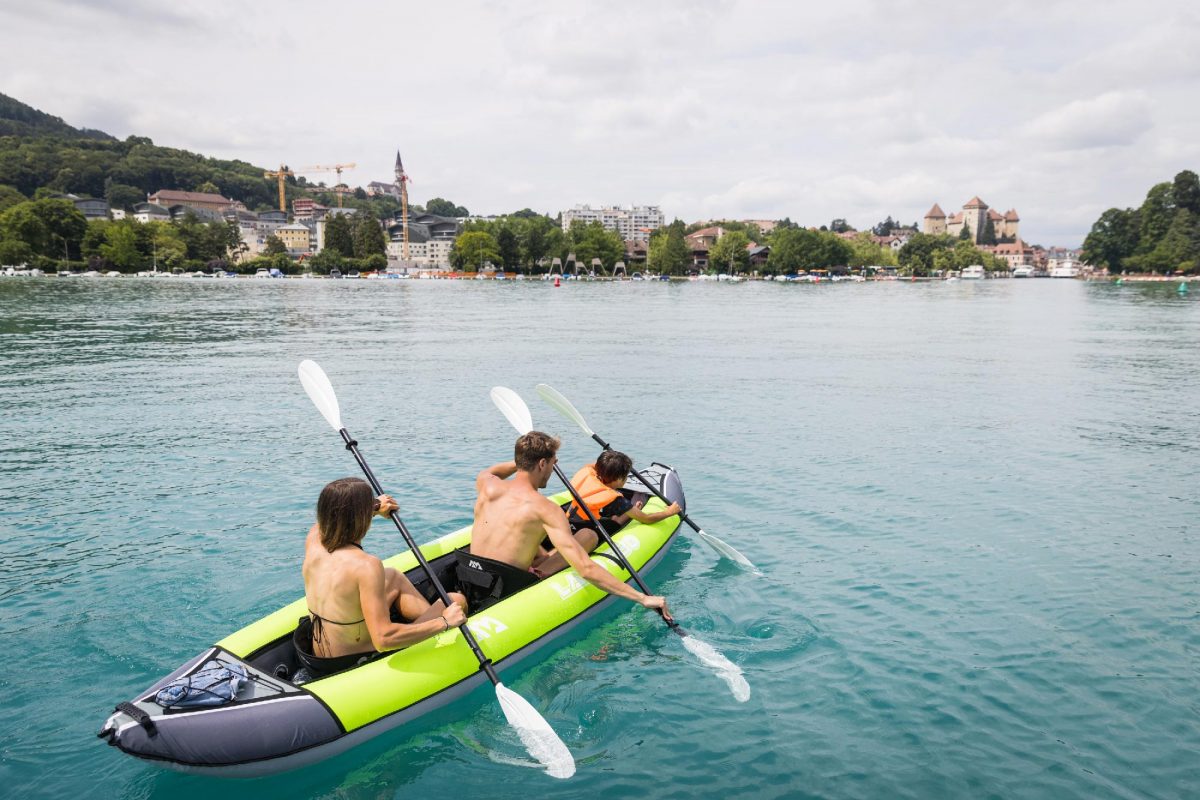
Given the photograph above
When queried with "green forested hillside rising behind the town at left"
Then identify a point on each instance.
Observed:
(43, 153)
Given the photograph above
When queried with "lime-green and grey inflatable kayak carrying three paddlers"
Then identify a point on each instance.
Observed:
(268, 719)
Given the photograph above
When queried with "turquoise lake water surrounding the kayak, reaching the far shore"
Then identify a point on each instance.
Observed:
(976, 506)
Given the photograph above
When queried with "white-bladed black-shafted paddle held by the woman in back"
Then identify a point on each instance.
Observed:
(536, 733)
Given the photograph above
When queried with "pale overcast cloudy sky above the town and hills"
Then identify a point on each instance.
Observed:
(709, 109)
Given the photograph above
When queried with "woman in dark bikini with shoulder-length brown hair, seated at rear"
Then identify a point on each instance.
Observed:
(351, 593)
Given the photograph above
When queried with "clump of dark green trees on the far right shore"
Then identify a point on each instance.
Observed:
(1161, 236)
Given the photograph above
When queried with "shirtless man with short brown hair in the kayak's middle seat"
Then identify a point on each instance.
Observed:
(512, 520)
